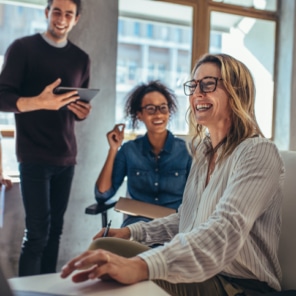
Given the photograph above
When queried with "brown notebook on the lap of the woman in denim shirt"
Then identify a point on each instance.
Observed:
(138, 208)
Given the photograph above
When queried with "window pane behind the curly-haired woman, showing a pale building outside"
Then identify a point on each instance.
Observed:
(164, 53)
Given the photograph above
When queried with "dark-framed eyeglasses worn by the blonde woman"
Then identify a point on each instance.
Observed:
(206, 85)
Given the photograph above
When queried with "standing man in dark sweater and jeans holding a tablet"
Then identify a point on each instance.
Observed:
(45, 141)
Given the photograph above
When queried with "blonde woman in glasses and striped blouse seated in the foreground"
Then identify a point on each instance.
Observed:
(224, 239)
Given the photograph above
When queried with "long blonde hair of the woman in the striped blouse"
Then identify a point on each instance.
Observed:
(239, 84)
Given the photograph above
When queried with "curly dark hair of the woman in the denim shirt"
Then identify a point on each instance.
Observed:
(135, 97)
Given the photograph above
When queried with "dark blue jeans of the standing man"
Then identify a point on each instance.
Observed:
(45, 191)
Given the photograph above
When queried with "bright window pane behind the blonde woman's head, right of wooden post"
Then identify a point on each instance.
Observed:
(238, 36)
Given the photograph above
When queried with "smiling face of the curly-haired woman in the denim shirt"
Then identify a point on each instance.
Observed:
(155, 112)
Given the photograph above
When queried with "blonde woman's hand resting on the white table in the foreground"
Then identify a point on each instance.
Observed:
(106, 265)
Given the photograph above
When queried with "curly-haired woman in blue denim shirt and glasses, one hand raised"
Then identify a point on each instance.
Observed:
(157, 164)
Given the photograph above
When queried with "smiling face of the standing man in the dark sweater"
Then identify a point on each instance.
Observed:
(61, 18)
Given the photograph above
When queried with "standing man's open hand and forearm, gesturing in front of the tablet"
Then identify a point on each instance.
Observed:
(47, 99)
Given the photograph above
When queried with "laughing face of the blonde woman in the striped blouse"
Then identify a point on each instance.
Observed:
(211, 109)
